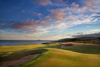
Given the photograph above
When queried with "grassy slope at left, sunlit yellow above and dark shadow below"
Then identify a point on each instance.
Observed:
(18, 51)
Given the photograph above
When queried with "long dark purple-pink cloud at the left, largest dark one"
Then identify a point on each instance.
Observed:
(24, 24)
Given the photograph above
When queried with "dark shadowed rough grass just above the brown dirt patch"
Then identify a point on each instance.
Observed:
(20, 54)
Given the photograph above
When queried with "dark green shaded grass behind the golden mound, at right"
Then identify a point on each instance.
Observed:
(89, 49)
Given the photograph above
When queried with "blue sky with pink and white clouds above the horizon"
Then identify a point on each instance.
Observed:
(48, 19)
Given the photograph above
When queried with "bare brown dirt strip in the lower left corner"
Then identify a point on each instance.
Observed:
(14, 63)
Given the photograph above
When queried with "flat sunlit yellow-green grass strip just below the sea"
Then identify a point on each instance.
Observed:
(19, 47)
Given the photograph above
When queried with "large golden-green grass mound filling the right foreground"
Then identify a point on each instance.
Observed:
(65, 58)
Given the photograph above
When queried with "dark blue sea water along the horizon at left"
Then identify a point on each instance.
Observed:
(21, 42)
